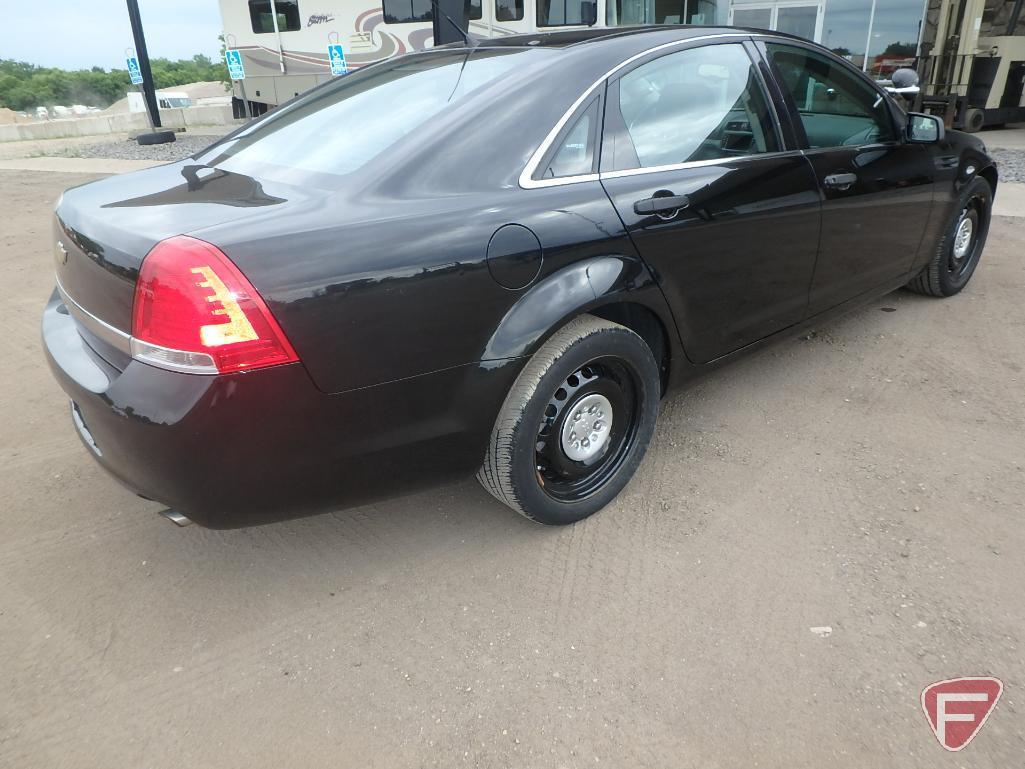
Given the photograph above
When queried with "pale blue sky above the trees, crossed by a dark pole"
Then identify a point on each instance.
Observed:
(80, 34)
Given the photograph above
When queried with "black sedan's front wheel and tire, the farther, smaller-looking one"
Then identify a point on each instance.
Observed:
(955, 261)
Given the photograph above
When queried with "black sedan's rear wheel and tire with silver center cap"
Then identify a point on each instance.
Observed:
(605, 377)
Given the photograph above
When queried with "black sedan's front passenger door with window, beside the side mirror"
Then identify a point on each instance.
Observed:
(877, 188)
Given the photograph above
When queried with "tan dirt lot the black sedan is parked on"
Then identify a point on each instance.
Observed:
(870, 478)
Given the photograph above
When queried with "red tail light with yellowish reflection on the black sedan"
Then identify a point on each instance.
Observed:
(196, 311)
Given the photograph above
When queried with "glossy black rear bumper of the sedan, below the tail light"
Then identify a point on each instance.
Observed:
(251, 449)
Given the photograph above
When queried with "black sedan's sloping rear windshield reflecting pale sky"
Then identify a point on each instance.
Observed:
(343, 128)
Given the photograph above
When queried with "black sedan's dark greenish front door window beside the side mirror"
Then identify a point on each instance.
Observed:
(838, 108)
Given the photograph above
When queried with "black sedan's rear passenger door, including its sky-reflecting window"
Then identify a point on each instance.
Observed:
(724, 214)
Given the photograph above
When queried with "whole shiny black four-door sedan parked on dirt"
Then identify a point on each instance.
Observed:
(490, 259)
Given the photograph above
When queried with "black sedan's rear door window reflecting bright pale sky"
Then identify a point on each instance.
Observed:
(701, 104)
